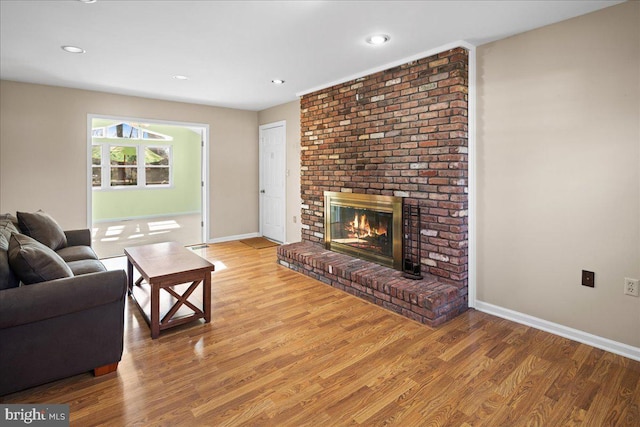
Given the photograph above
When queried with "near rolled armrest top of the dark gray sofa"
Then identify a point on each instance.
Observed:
(33, 303)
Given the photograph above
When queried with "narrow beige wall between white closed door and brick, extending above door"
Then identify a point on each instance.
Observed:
(289, 112)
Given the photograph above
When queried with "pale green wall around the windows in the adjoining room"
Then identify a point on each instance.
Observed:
(184, 196)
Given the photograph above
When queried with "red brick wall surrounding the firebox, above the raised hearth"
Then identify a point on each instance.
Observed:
(399, 132)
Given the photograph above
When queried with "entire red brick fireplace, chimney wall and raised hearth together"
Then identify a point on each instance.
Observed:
(401, 132)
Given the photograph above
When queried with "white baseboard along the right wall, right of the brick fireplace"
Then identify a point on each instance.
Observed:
(561, 330)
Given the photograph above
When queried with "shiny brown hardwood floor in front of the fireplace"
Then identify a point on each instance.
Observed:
(285, 350)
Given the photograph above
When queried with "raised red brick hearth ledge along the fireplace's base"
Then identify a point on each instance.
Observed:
(427, 301)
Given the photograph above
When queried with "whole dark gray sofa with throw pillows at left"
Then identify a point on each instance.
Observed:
(57, 318)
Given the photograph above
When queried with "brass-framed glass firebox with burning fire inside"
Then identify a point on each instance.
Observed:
(365, 226)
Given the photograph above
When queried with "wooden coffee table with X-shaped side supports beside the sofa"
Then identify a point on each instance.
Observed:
(170, 267)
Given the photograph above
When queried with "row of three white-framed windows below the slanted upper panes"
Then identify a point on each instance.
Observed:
(124, 170)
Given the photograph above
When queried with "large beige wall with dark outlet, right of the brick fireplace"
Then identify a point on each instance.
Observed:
(558, 172)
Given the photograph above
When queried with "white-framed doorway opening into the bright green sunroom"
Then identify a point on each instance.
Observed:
(146, 183)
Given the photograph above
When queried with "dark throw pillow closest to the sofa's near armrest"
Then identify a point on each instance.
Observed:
(33, 262)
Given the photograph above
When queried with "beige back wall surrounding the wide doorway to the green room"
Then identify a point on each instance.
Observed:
(43, 152)
